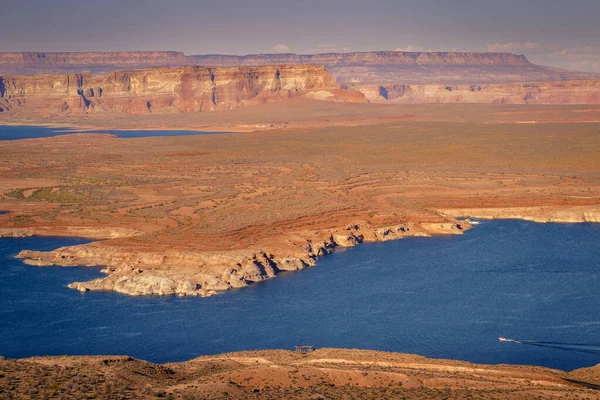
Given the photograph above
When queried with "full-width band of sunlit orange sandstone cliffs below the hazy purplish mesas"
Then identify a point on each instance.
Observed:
(192, 89)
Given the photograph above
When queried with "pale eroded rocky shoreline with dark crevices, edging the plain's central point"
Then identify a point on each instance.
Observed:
(206, 274)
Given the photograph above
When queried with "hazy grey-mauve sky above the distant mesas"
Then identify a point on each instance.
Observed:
(563, 33)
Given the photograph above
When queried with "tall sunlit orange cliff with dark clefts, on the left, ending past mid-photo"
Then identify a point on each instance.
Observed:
(166, 90)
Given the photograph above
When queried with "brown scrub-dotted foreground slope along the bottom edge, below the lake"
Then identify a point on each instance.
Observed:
(274, 374)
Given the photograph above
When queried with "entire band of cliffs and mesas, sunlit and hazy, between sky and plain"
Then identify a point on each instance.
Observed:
(123, 82)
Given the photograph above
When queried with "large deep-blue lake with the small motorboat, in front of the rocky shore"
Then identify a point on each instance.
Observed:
(448, 297)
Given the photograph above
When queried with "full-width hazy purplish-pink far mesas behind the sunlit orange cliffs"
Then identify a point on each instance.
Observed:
(357, 67)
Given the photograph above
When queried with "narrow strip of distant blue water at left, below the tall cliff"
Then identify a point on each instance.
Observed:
(29, 132)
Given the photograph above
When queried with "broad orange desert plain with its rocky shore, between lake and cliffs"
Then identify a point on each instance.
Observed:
(197, 215)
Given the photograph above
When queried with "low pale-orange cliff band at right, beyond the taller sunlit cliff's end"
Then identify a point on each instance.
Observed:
(557, 92)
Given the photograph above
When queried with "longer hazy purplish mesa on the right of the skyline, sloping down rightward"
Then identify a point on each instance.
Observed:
(411, 67)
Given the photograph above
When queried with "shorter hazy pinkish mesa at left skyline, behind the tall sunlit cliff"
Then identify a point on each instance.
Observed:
(91, 62)
